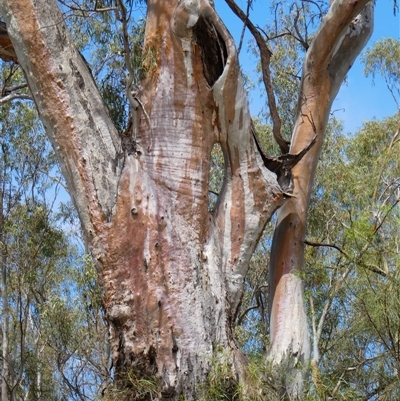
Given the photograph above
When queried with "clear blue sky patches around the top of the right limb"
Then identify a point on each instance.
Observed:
(358, 100)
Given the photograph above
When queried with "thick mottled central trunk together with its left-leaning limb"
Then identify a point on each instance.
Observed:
(172, 272)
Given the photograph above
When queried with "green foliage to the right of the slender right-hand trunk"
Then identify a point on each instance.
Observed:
(352, 261)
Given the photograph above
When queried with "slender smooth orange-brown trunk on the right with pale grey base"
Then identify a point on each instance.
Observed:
(341, 37)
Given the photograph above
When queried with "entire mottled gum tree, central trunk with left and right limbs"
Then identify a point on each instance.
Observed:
(172, 271)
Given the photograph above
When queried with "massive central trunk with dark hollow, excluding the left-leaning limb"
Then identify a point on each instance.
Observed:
(173, 296)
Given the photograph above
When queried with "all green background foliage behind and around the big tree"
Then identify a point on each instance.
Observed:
(53, 319)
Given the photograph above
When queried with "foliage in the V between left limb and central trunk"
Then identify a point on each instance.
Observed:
(98, 35)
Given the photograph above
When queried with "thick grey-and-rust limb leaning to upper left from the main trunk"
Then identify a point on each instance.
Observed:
(71, 107)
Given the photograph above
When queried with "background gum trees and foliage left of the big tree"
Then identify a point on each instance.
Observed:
(43, 274)
